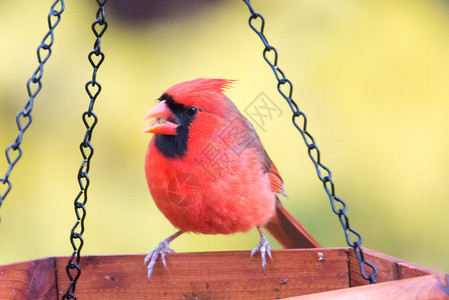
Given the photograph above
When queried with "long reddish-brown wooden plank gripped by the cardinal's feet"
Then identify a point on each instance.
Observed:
(210, 275)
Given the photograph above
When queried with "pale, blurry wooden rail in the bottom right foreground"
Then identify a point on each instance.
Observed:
(427, 287)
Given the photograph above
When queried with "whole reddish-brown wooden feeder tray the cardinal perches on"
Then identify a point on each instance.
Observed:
(297, 273)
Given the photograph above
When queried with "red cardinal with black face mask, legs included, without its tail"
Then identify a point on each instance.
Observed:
(206, 167)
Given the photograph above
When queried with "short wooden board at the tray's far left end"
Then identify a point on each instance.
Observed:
(29, 280)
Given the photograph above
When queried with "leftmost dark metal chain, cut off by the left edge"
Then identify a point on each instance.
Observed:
(34, 85)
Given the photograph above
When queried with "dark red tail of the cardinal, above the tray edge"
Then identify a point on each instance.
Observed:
(288, 231)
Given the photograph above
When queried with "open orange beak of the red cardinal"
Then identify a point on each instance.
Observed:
(161, 123)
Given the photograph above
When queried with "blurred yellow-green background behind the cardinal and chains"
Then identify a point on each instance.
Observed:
(372, 77)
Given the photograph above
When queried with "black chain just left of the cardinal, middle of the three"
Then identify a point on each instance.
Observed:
(90, 119)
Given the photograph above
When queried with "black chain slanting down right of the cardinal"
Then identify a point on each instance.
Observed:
(285, 88)
